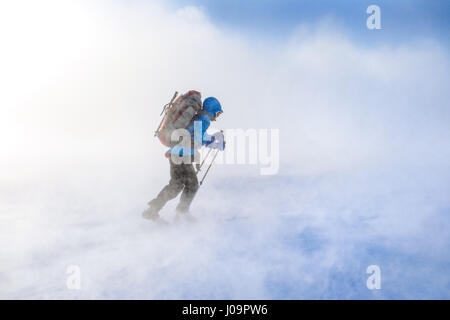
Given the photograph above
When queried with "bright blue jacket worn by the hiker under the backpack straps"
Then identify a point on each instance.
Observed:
(203, 138)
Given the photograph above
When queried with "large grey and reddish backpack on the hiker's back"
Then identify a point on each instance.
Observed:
(179, 115)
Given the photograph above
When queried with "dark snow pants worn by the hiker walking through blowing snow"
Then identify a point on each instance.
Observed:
(182, 178)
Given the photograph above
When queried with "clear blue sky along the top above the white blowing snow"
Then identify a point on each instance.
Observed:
(402, 20)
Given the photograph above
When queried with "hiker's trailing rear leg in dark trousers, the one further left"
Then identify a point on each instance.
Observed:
(171, 190)
